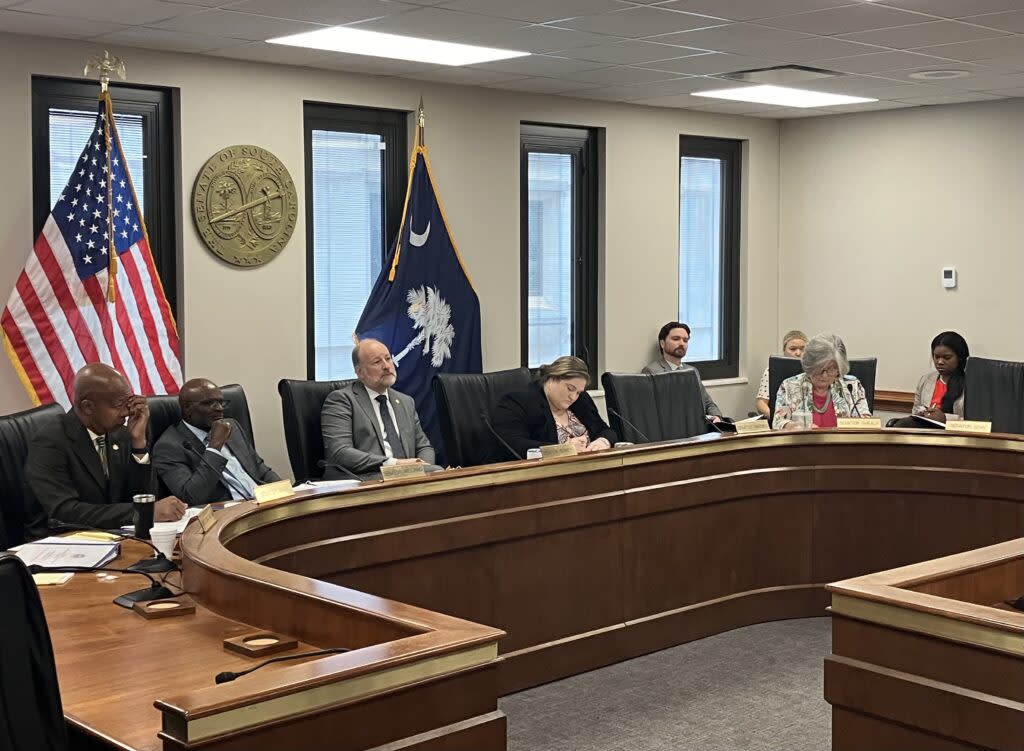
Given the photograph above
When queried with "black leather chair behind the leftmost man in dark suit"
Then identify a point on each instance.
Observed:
(15, 434)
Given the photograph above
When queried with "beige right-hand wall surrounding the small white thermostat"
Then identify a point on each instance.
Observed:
(874, 205)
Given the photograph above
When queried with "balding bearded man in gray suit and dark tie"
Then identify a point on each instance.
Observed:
(369, 425)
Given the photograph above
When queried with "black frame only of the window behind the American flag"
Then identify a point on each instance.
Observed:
(162, 181)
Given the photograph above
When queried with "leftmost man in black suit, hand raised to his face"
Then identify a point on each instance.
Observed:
(86, 468)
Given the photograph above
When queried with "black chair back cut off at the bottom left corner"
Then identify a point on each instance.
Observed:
(33, 717)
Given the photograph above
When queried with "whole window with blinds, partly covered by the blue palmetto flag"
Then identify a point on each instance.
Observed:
(356, 187)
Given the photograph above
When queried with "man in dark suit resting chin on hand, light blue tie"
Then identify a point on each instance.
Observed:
(207, 457)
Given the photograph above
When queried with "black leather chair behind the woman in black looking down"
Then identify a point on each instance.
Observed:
(461, 398)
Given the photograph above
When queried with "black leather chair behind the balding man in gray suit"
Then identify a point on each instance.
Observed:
(302, 403)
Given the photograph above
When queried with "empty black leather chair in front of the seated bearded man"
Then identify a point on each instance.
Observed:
(662, 407)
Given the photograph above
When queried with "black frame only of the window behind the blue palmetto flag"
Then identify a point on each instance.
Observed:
(393, 127)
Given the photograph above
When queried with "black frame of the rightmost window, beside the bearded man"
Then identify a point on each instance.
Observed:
(731, 153)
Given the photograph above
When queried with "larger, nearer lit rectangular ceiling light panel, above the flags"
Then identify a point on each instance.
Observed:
(396, 47)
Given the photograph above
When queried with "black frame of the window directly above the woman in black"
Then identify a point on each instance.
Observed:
(582, 144)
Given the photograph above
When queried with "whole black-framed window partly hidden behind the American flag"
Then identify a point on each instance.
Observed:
(63, 116)
